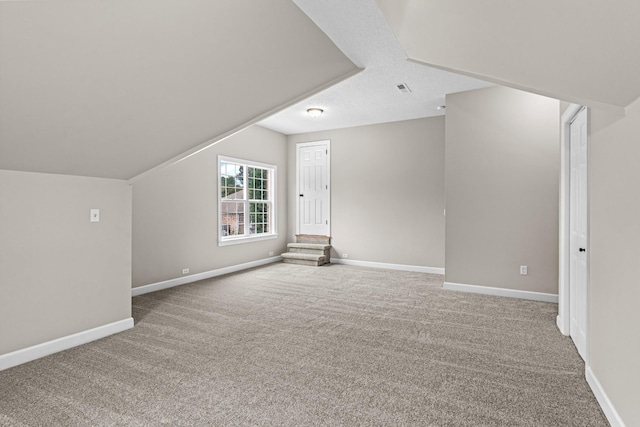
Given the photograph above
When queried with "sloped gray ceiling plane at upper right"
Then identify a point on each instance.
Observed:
(574, 50)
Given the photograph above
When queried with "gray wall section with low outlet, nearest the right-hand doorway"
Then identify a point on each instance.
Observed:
(502, 181)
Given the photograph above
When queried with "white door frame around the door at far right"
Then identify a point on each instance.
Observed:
(564, 318)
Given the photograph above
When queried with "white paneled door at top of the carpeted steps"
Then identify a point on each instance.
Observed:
(313, 188)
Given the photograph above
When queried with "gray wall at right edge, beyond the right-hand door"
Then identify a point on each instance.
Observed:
(614, 311)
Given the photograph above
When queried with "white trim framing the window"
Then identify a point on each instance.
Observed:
(234, 240)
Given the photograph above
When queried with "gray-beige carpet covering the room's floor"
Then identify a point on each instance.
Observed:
(288, 345)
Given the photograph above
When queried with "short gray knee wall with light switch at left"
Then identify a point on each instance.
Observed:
(59, 273)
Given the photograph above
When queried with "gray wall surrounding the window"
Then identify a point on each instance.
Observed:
(175, 218)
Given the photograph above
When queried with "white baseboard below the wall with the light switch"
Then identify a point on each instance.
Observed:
(28, 354)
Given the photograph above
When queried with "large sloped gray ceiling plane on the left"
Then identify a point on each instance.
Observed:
(114, 88)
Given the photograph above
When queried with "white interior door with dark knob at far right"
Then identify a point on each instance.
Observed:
(579, 227)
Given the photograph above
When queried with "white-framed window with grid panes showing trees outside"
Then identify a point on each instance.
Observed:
(246, 200)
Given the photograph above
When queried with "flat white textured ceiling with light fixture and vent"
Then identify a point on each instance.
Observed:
(360, 30)
